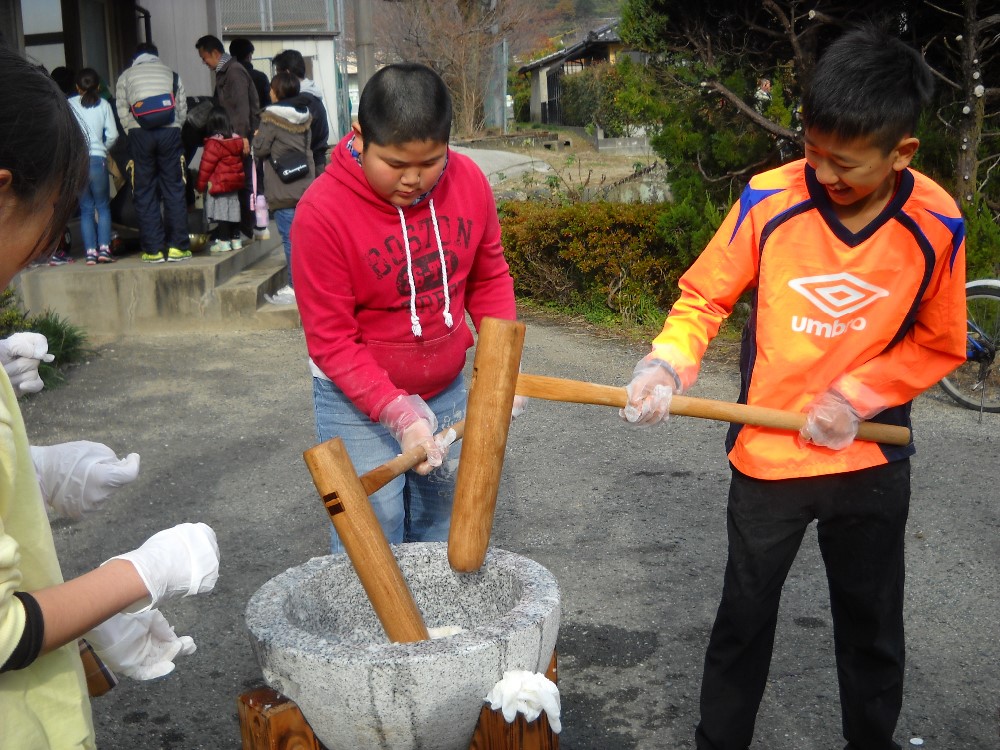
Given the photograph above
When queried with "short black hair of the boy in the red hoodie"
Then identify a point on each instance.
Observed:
(404, 102)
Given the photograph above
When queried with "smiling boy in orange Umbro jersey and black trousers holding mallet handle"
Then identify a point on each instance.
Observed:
(856, 263)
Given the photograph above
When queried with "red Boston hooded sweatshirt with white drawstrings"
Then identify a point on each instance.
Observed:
(380, 321)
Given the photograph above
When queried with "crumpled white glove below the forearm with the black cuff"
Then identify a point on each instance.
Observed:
(142, 646)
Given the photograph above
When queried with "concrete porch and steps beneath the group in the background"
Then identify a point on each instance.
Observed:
(131, 298)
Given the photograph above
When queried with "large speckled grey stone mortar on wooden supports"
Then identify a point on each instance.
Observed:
(318, 641)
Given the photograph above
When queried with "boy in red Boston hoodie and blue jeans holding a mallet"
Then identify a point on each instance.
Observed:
(393, 243)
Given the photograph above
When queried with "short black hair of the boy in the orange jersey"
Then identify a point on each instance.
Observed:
(868, 84)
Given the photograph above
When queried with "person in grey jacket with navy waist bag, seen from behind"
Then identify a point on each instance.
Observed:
(156, 155)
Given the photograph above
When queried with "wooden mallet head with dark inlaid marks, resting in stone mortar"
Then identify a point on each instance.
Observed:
(357, 525)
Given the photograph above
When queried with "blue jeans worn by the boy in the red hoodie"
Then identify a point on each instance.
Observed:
(411, 508)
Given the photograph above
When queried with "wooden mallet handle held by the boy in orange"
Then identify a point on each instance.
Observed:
(579, 392)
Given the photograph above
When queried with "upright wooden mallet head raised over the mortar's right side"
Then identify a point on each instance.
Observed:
(487, 422)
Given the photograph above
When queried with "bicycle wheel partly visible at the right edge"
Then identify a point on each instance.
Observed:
(974, 384)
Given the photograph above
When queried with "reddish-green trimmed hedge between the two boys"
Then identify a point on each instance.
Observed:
(613, 263)
